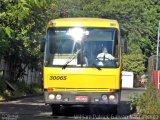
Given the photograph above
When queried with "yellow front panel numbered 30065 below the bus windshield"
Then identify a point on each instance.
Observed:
(82, 79)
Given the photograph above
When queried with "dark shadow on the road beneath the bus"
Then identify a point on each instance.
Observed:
(96, 112)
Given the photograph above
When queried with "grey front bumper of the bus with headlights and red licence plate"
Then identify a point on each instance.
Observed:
(82, 97)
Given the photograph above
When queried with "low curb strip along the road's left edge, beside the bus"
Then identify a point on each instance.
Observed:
(21, 97)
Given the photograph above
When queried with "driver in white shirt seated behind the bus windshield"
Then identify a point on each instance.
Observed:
(105, 55)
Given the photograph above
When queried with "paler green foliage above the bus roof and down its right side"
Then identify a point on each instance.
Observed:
(138, 22)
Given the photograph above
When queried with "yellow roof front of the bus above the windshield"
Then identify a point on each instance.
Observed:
(83, 22)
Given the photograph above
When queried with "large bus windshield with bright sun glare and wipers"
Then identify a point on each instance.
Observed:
(82, 47)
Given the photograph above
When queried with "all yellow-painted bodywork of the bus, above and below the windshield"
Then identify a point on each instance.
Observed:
(83, 79)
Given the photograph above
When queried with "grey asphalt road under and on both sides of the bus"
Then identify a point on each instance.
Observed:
(33, 108)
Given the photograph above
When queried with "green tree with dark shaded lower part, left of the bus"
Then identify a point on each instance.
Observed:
(21, 24)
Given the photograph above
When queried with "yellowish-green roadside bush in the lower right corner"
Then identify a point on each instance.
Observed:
(148, 102)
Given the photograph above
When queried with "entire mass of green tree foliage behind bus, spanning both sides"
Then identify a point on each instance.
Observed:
(22, 23)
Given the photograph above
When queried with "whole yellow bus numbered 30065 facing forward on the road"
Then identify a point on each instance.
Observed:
(82, 62)
